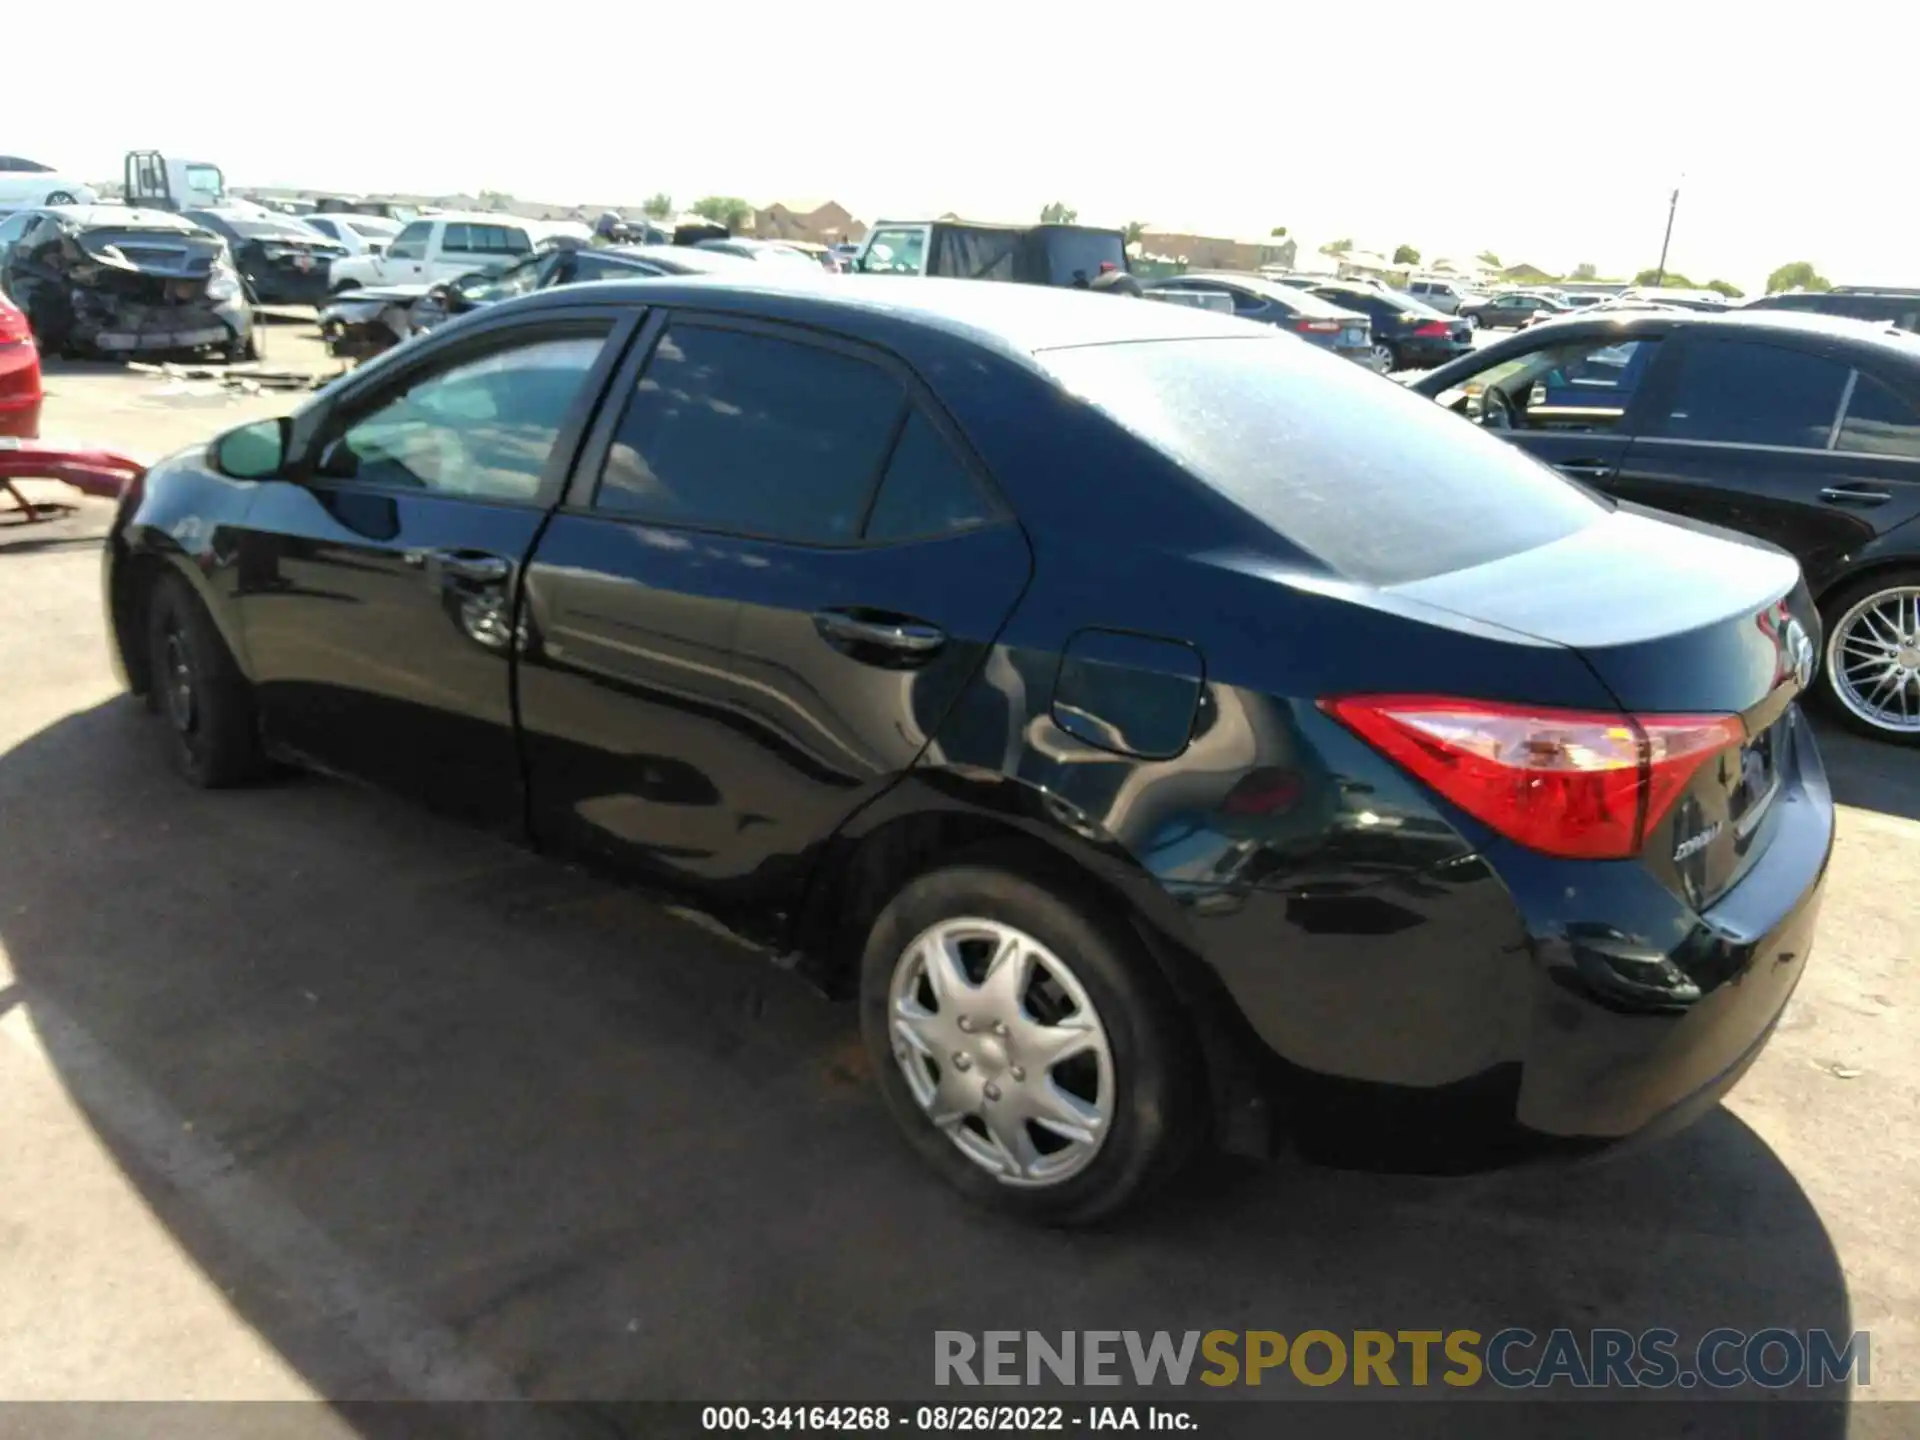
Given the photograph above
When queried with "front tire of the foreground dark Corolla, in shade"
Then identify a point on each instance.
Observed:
(201, 694)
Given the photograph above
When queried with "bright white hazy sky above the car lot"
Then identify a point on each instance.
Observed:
(1554, 139)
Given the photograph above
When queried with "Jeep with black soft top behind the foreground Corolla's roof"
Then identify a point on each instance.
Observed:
(967, 251)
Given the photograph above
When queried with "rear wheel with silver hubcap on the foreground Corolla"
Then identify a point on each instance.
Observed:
(1028, 1047)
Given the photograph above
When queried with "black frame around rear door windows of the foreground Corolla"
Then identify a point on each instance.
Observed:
(594, 452)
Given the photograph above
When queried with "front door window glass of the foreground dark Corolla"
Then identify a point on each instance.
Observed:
(483, 429)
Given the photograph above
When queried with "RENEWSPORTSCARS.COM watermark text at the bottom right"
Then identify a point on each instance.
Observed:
(1512, 1358)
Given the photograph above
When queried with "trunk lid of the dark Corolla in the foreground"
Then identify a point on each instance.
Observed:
(1675, 619)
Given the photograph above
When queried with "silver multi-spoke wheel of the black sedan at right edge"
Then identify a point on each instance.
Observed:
(1871, 675)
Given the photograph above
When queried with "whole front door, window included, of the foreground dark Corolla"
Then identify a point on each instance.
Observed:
(377, 581)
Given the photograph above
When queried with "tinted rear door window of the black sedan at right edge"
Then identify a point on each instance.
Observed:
(1752, 395)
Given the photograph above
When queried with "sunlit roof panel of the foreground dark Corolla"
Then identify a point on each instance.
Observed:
(1017, 320)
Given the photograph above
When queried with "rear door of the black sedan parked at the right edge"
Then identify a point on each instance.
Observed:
(1740, 433)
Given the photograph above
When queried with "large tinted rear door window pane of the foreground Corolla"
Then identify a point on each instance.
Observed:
(752, 435)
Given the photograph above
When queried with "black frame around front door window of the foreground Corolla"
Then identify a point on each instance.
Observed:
(358, 402)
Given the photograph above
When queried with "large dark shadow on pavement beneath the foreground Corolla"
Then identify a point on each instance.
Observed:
(450, 1122)
